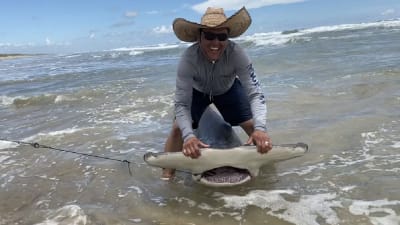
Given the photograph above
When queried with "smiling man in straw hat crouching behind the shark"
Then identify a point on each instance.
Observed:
(215, 70)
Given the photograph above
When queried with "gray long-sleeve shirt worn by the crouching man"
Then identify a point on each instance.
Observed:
(215, 78)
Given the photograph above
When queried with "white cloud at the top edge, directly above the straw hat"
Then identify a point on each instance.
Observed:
(235, 5)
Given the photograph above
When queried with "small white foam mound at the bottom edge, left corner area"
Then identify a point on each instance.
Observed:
(69, 214)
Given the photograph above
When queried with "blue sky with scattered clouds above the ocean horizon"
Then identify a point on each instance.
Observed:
(59, 26)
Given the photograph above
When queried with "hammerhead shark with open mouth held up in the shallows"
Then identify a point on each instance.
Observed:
(227, 162)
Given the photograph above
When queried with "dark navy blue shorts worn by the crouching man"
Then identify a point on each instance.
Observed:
(233, 105)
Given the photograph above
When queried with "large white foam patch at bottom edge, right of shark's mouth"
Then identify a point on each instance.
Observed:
(303, 212)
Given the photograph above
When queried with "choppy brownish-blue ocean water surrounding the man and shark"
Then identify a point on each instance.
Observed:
(335, 88)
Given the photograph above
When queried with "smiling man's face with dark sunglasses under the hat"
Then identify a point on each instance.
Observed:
(213, 42)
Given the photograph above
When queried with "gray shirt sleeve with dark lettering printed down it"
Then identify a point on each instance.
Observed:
(248, 78)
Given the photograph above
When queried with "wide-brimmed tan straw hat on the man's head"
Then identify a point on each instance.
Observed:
(213, 18)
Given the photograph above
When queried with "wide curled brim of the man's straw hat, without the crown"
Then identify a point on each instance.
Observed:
(237, 24)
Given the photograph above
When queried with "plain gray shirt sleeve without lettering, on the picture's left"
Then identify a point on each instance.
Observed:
(183, 98)
